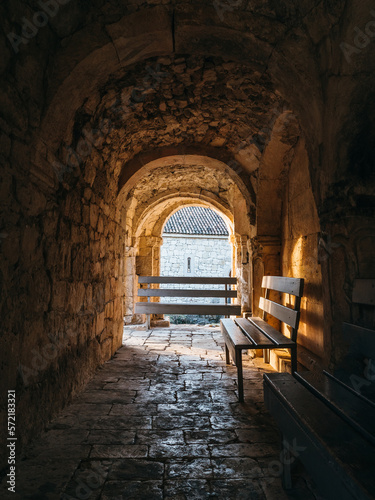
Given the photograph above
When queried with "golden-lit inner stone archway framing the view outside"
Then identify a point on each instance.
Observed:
(160, 188)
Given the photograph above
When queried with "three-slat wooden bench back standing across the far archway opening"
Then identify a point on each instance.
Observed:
(149, 307)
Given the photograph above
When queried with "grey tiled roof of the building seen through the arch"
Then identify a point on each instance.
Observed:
(196, 220)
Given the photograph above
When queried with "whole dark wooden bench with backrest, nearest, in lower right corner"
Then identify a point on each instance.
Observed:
(331, 419)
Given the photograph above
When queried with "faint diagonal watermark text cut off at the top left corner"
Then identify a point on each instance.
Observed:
(31, 26)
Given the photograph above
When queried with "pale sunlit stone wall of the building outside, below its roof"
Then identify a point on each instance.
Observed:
(210, 256)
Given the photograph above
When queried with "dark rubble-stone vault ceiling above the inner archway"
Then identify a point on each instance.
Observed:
(191, 99)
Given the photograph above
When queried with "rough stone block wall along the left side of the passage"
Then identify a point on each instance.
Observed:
(62, 315)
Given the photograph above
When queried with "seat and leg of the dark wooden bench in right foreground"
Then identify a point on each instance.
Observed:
(328, 427)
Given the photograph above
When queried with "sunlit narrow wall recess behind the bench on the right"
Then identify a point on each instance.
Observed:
(299, 255)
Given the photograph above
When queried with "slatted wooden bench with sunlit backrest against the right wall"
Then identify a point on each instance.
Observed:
(255, 333)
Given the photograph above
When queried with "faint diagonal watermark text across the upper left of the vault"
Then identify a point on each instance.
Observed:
(93, 138)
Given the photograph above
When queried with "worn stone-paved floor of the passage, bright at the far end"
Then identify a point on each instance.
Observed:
(161, 421)
